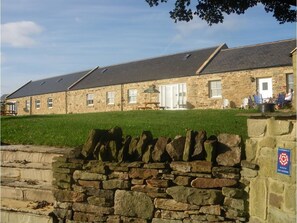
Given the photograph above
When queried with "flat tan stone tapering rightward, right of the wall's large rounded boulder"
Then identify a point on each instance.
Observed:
(173, 205)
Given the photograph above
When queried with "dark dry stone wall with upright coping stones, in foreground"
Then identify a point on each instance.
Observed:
(191, 178)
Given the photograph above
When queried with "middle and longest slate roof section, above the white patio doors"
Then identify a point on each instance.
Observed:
(165, 67)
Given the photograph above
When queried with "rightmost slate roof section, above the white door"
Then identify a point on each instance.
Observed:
(265, 55)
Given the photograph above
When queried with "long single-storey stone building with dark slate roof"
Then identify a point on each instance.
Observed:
(197, 79)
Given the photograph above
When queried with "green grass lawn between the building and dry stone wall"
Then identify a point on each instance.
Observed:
(72, 130)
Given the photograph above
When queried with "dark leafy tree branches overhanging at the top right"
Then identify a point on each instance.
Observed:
(212, 11)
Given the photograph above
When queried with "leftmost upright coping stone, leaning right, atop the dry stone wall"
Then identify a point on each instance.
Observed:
(92, 140)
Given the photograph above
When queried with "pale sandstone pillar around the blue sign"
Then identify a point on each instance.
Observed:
(272, 195)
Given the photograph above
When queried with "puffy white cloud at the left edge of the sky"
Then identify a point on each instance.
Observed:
(20, 34)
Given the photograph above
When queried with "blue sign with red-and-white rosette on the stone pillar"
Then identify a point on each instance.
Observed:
(283, 161)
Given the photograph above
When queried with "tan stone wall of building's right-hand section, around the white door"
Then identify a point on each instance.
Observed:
(238, 85)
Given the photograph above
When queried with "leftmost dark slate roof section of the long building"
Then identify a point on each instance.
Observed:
(49, 85)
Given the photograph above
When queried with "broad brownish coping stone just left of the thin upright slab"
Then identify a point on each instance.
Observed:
(175, 148)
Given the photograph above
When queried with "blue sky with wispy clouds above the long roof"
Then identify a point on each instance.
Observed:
(41, 39)
